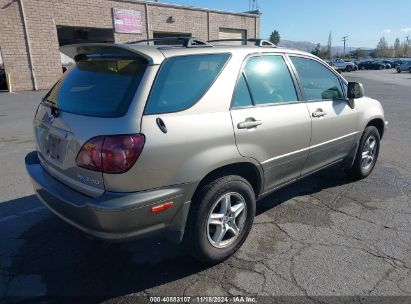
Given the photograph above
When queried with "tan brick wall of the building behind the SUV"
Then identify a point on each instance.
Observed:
(44, 15)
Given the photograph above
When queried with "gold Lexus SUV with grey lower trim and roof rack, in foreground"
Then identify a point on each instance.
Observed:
(183, 141)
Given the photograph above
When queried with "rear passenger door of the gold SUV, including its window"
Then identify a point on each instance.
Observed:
(271, 125)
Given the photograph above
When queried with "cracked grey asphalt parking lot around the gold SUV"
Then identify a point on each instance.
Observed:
(323, 236)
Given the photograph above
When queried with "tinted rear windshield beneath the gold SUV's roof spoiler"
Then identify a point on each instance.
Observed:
(101, 86)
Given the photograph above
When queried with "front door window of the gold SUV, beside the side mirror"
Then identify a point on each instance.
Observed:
(318, 81)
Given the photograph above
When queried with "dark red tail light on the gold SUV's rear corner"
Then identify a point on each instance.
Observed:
(111, 154)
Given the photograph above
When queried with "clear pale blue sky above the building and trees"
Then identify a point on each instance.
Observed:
(363, 21)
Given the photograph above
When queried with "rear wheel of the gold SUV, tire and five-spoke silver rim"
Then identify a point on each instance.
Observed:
(201, 238)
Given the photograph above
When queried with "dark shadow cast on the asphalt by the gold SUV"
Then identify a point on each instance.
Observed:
(69, 264)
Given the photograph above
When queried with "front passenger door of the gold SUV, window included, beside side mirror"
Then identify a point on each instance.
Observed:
(334, 123)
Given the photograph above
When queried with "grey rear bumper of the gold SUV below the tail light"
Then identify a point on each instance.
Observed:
(113, 216)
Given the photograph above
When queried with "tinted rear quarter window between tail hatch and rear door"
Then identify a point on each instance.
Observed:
(182, 81)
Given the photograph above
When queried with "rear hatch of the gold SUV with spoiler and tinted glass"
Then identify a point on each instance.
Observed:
(92, 99)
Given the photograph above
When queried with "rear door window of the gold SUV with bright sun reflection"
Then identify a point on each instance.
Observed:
(269, 80)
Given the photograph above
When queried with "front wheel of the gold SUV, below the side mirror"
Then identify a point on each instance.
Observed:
(363, 167)
